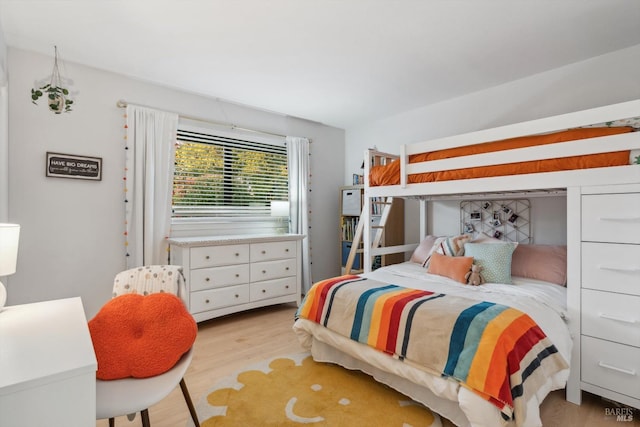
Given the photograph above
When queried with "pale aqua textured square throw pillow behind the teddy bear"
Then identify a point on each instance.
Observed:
(494, 258)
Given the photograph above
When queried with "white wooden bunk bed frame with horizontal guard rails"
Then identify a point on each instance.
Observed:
(570, 182)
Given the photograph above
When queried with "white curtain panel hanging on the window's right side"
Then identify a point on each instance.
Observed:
(299, 187)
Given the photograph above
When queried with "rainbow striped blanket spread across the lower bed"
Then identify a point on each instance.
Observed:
(496, 351)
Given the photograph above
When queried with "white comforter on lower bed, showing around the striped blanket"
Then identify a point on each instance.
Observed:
(543, 302)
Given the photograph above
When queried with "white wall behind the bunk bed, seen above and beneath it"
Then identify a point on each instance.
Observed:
(595, 82)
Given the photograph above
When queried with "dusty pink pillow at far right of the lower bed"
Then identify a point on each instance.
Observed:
(541, 262)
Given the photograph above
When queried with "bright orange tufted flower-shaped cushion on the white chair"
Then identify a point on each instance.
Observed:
(141, 336)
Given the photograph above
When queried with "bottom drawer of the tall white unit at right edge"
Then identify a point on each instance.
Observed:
(615, 367)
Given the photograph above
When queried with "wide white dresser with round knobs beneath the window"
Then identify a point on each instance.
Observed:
(227, 274)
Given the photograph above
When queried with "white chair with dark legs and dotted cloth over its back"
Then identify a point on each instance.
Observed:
(128, 396)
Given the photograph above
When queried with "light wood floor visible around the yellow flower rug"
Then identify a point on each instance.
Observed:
(228, 344)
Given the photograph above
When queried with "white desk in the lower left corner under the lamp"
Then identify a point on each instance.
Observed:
(47, 365)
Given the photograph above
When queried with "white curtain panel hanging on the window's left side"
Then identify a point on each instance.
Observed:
(150, 154)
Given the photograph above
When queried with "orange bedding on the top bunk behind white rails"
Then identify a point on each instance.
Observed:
(390, 174)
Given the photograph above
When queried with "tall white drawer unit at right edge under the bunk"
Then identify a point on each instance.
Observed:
(610, 292)
